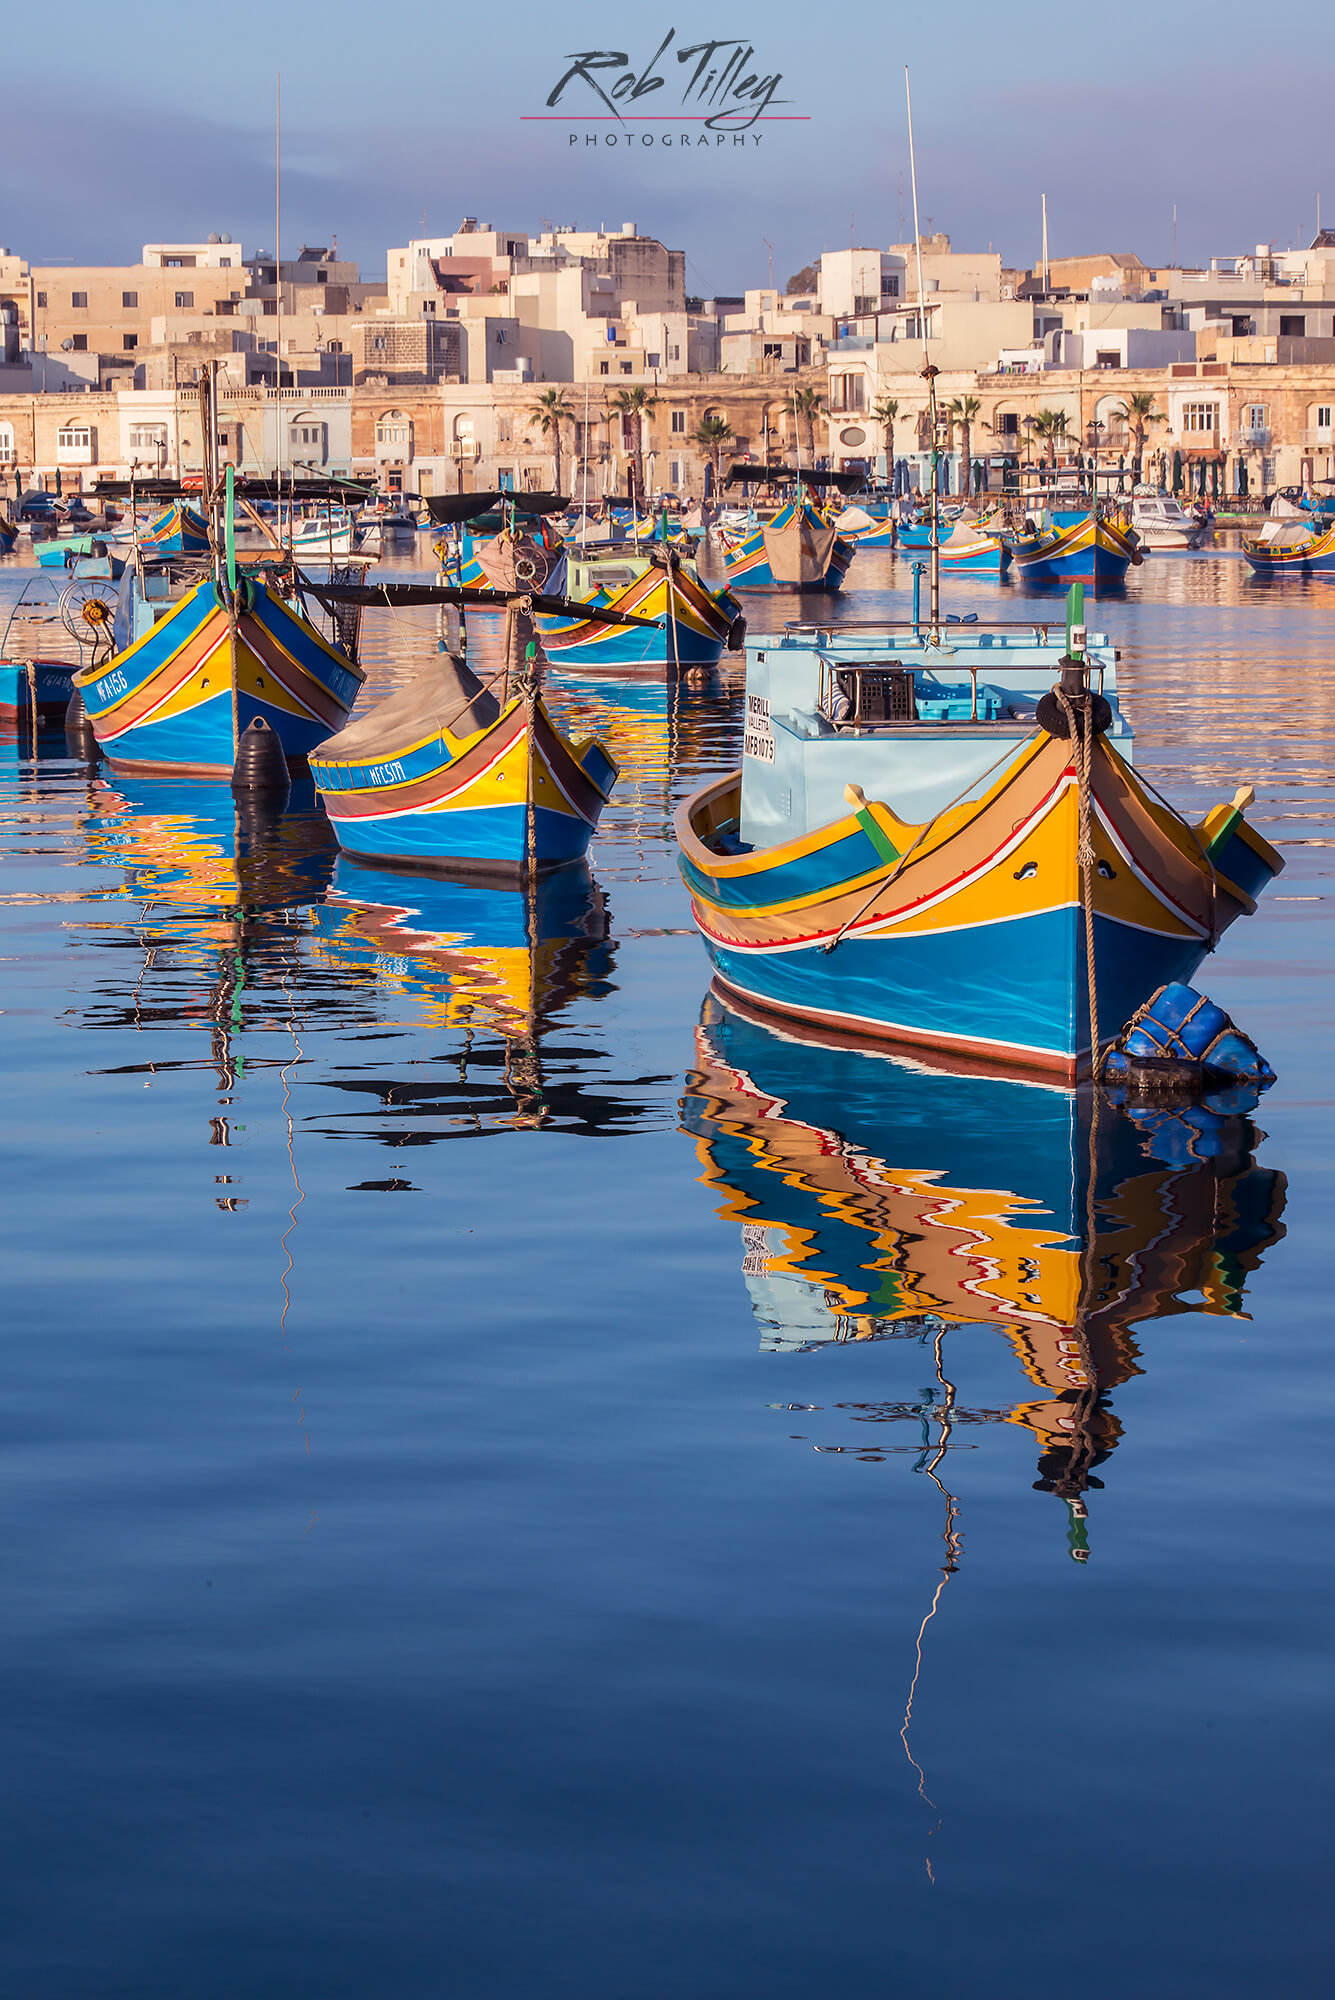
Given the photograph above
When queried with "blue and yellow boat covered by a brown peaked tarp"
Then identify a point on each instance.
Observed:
(445, 775)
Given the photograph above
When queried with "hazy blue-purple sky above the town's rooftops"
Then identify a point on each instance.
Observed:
(155, 123)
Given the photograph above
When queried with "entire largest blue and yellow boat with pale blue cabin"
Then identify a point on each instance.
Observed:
(898, 857)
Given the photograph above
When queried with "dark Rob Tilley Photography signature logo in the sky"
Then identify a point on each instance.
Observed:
(726, 95)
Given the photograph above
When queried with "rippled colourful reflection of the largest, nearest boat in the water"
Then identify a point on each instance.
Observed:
(884, 1201)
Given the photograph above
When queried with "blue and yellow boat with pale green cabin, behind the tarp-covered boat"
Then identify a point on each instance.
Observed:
(649, 583)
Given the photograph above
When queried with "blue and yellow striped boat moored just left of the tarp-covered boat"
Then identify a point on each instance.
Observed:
(197, 665)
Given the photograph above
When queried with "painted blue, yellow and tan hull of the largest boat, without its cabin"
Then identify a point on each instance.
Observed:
(968, 935)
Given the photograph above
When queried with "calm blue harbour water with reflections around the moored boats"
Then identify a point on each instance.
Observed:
(523, 1483)
